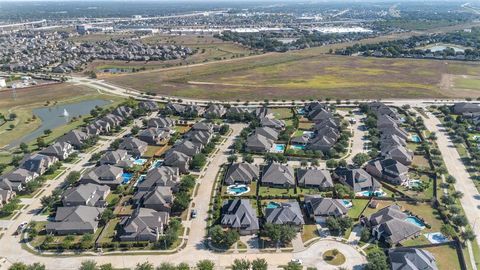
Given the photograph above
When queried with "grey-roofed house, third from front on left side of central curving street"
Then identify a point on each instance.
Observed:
(162, 176)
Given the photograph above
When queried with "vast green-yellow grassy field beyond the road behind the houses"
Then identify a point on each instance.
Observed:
(302, 74)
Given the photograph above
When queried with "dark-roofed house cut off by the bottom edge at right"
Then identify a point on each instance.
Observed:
(411, 259)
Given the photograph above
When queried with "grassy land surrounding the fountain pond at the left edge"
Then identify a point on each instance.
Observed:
(30, 98)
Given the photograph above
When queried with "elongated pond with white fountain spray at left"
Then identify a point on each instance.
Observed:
(55, 116)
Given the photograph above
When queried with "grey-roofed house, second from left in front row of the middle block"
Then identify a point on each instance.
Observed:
(288, 213)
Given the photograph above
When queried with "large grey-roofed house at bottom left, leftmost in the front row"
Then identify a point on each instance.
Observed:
(79, 219)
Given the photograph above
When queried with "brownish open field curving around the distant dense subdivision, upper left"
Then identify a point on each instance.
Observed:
(209, 49)
